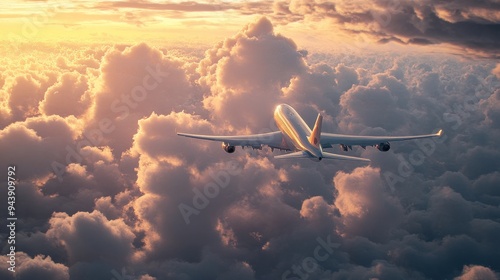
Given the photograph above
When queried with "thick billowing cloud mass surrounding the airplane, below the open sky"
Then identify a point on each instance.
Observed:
(146, 204)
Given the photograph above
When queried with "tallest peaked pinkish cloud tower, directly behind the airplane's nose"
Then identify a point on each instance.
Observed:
(251, 66)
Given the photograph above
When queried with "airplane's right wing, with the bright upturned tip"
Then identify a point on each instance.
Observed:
(330, 139)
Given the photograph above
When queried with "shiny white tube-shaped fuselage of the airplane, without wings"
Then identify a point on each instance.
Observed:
(296, 130)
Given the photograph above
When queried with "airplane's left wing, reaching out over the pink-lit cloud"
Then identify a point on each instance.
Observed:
(274, 140)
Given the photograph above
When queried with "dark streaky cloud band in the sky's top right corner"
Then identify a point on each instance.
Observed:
(473, 26)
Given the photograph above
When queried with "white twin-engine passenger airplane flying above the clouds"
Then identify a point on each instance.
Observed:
(295, 135)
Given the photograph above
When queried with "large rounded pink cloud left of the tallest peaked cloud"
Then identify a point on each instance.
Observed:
(134, 82)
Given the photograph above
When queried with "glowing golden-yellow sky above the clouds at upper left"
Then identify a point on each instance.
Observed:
(120, 21)
